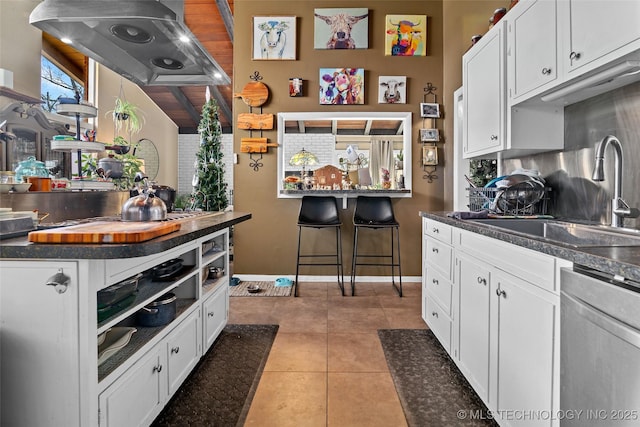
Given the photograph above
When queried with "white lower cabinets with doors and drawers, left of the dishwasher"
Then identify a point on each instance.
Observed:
(504, 324)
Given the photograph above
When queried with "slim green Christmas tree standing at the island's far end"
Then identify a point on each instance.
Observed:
(209, 186)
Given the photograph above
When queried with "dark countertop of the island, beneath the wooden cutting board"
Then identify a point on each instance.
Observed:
(190, 229)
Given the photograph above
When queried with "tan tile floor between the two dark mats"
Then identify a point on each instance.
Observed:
(326, 366)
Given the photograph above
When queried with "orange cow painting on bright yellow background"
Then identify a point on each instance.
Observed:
(405, 35)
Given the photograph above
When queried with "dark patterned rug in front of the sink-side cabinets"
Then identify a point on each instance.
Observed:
(432, 390)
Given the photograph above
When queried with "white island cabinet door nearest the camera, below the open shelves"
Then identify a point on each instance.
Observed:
(137, 397)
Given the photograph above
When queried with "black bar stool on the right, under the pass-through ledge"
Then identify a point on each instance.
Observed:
(376, 213)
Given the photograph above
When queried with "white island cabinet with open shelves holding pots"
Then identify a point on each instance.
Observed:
(50, 327)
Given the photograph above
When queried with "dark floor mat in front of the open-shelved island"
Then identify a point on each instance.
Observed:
(219, 391)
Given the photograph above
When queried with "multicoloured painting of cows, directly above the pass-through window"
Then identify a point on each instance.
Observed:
(341, 86)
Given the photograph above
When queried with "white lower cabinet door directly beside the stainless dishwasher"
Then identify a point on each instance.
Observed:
(525, 370)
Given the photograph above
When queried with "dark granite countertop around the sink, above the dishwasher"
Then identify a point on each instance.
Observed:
(624, 261)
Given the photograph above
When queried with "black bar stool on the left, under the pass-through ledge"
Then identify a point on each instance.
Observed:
(320, 212)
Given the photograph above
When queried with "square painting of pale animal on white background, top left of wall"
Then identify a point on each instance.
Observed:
(274, 38)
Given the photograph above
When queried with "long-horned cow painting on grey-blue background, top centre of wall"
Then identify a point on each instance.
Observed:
(341, 28)
